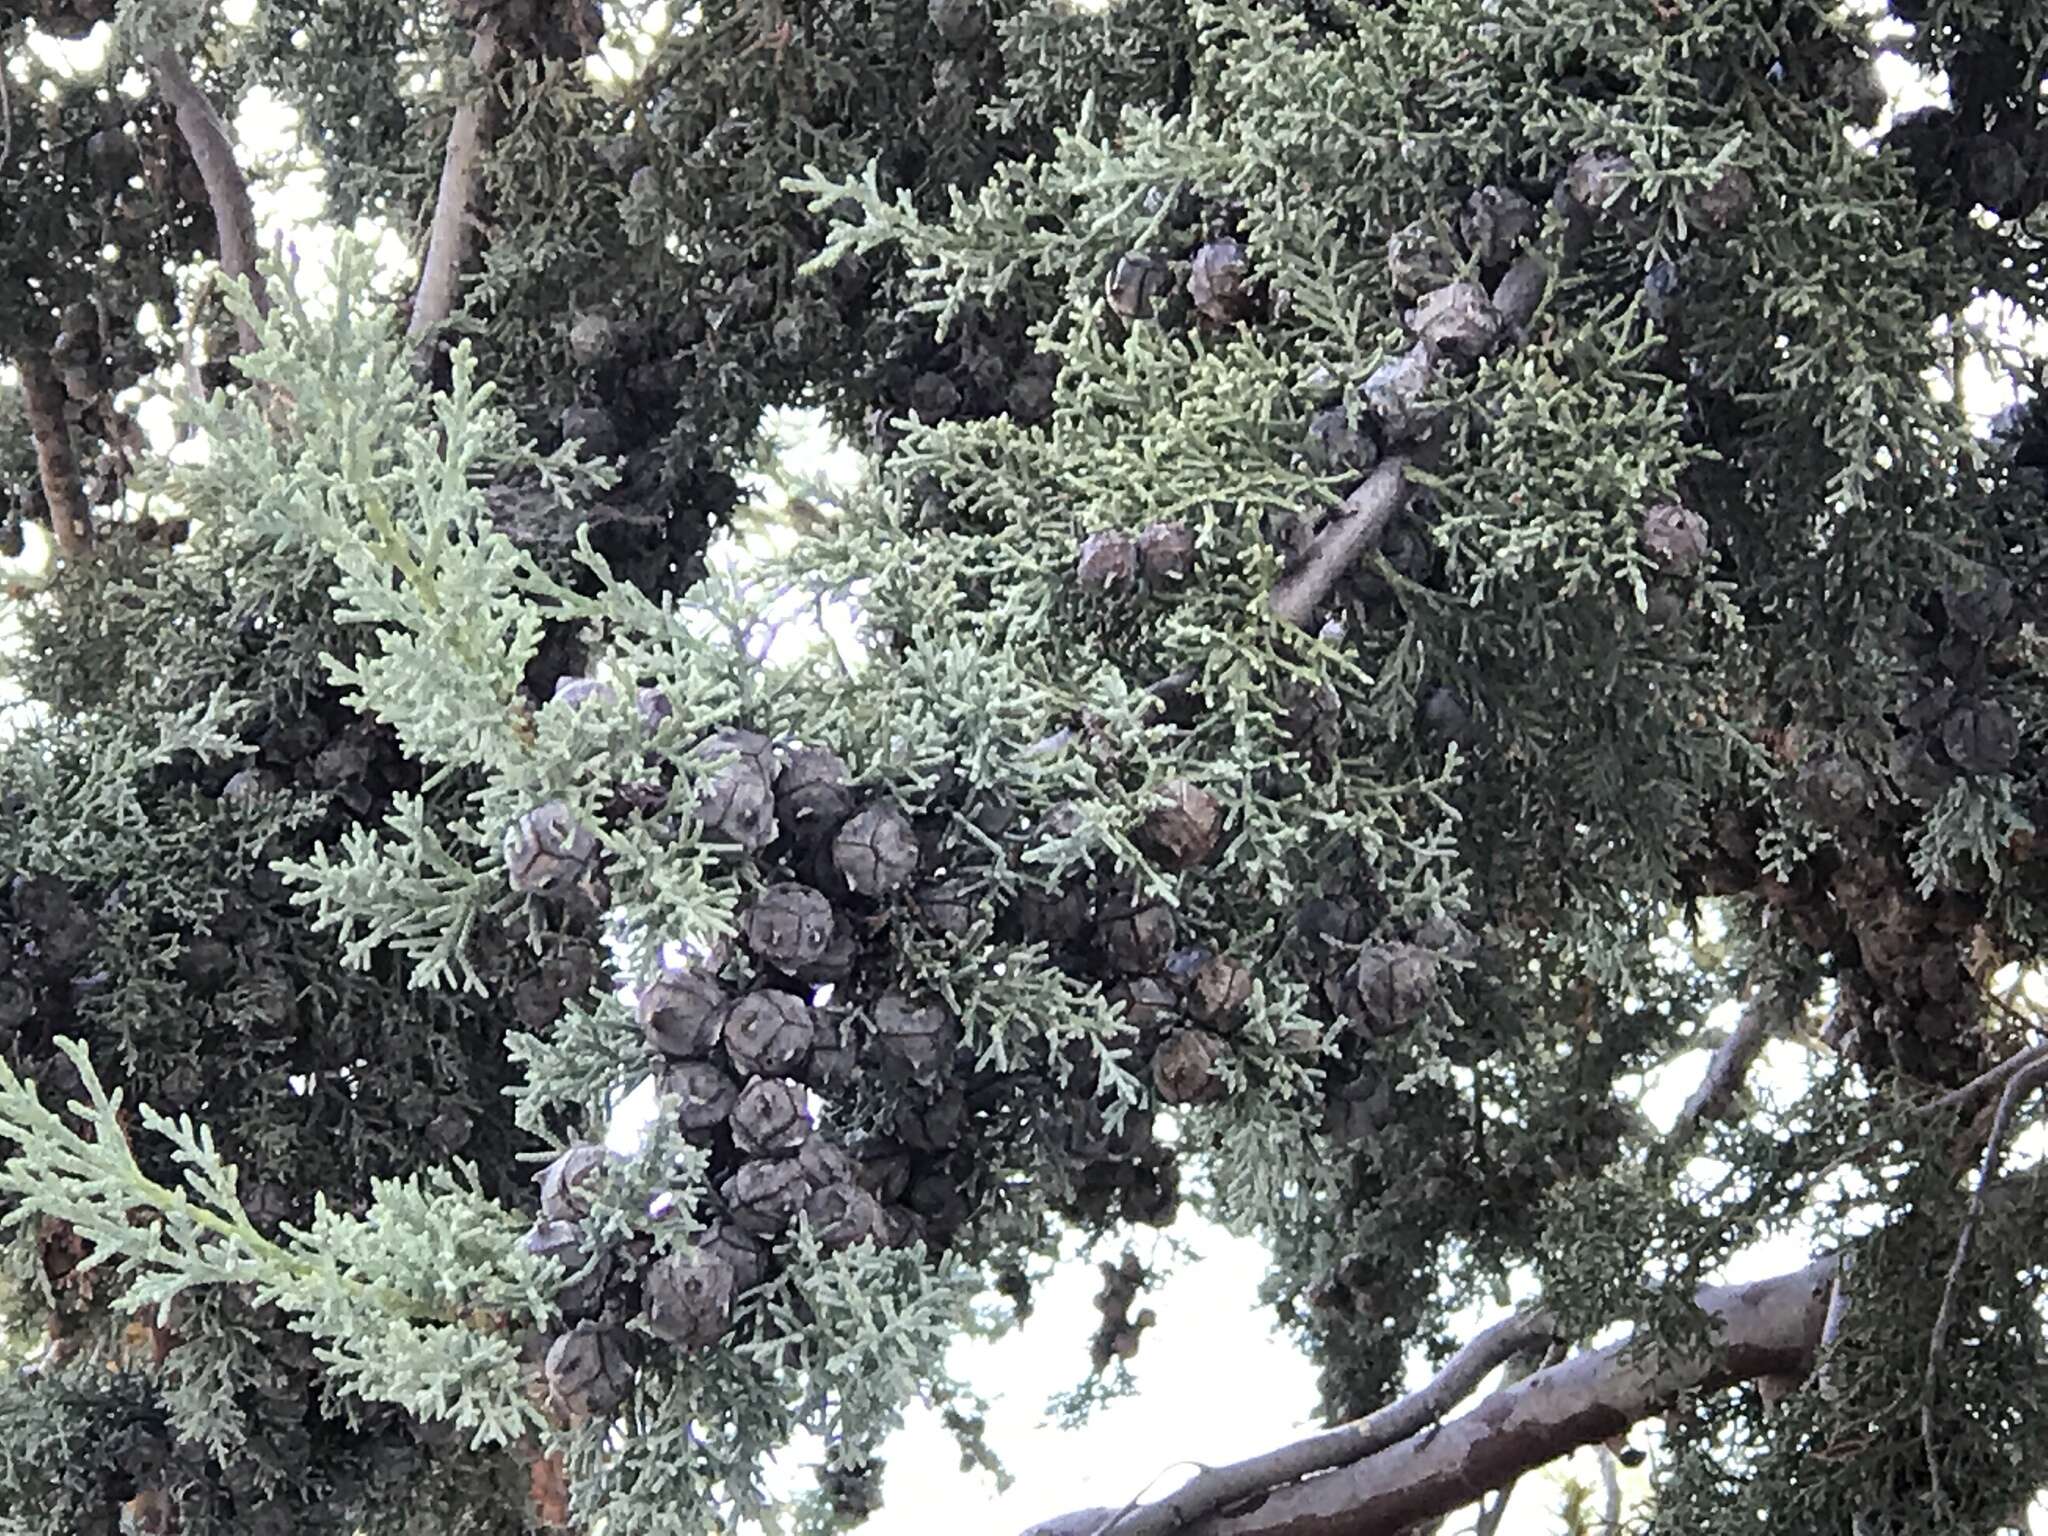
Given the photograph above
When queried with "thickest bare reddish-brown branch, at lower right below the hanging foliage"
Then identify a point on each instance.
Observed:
(1764, 1328)
